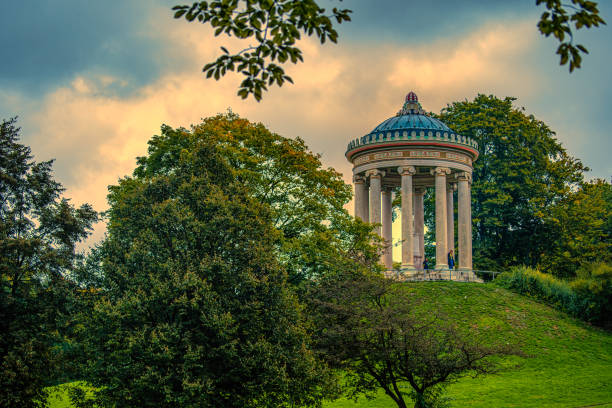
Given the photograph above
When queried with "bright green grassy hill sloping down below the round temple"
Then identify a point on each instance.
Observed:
(567, 363)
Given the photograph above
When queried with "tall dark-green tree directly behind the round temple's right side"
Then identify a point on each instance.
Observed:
(522, 173)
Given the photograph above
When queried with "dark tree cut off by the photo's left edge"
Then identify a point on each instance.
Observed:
(38, 233)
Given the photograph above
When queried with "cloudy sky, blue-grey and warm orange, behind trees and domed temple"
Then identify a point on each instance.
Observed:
(92, 81)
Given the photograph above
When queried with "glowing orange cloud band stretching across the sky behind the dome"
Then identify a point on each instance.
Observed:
(340, 92)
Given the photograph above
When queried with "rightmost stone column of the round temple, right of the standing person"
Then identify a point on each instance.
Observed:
(464, 222)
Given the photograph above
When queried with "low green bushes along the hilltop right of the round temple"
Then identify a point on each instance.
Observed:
(587, 298)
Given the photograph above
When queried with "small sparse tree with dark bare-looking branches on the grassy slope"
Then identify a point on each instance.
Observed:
(373, 330)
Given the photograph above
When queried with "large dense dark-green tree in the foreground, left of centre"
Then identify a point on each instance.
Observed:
(194, 309)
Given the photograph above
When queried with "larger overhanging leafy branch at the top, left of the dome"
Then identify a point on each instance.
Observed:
(275, 25)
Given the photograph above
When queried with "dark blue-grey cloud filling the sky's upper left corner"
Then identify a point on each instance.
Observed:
(46, 43)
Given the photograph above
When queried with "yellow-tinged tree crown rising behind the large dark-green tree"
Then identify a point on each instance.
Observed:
(306, 200)
